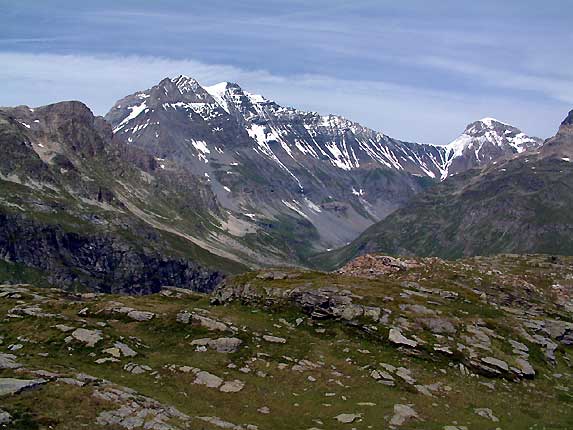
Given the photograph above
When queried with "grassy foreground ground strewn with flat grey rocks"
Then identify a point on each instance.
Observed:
(421, 343)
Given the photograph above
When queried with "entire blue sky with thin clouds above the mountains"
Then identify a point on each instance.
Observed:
(417, 70)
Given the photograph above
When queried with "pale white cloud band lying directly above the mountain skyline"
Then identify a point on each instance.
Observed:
(405, 112)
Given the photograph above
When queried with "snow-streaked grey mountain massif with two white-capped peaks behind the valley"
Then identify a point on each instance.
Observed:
(325, 176)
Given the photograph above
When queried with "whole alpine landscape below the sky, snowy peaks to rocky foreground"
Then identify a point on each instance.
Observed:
(204, 258)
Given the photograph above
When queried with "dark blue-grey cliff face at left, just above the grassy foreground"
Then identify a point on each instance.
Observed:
(100, 262)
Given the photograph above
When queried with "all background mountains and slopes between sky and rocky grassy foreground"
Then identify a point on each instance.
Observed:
(181, 184)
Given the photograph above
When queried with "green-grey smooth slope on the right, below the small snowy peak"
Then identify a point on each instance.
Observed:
(526, 206)
